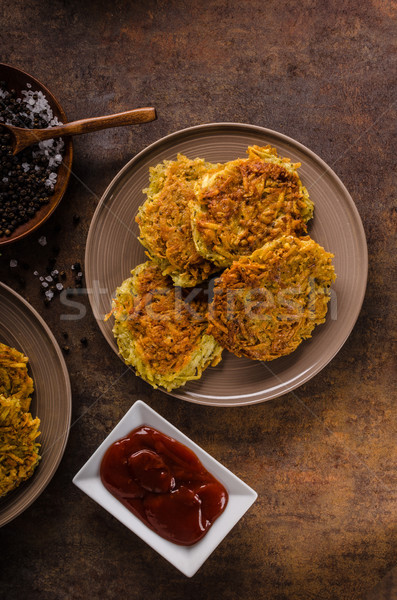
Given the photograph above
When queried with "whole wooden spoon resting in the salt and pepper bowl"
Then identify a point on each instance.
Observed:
(22, 137)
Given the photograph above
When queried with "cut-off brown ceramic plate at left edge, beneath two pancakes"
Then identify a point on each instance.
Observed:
(22, 328)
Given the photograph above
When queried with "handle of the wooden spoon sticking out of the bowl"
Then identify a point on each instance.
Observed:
(129, 117)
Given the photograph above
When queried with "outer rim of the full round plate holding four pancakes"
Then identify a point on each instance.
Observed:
(230, 125)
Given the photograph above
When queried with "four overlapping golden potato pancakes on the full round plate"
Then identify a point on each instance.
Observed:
(244, 220)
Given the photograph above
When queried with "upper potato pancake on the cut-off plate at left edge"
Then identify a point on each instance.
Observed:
(15, 381)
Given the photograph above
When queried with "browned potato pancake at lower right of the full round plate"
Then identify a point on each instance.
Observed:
(266, 304)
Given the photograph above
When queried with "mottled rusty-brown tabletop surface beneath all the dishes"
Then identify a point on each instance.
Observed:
(323, 460)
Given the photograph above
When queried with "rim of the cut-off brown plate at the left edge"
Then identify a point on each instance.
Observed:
(68, 395)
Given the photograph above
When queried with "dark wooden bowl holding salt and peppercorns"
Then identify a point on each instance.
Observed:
(17, 80)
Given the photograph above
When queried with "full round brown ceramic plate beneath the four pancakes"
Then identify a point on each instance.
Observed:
(113, 250)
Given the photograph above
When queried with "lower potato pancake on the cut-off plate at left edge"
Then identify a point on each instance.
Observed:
(19, 451)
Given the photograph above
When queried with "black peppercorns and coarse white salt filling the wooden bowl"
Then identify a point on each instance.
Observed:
(27, 180)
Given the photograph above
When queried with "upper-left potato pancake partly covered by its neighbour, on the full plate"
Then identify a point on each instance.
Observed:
(164, 220)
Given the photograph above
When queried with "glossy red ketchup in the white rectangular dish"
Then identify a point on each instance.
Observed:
(164, 484)
